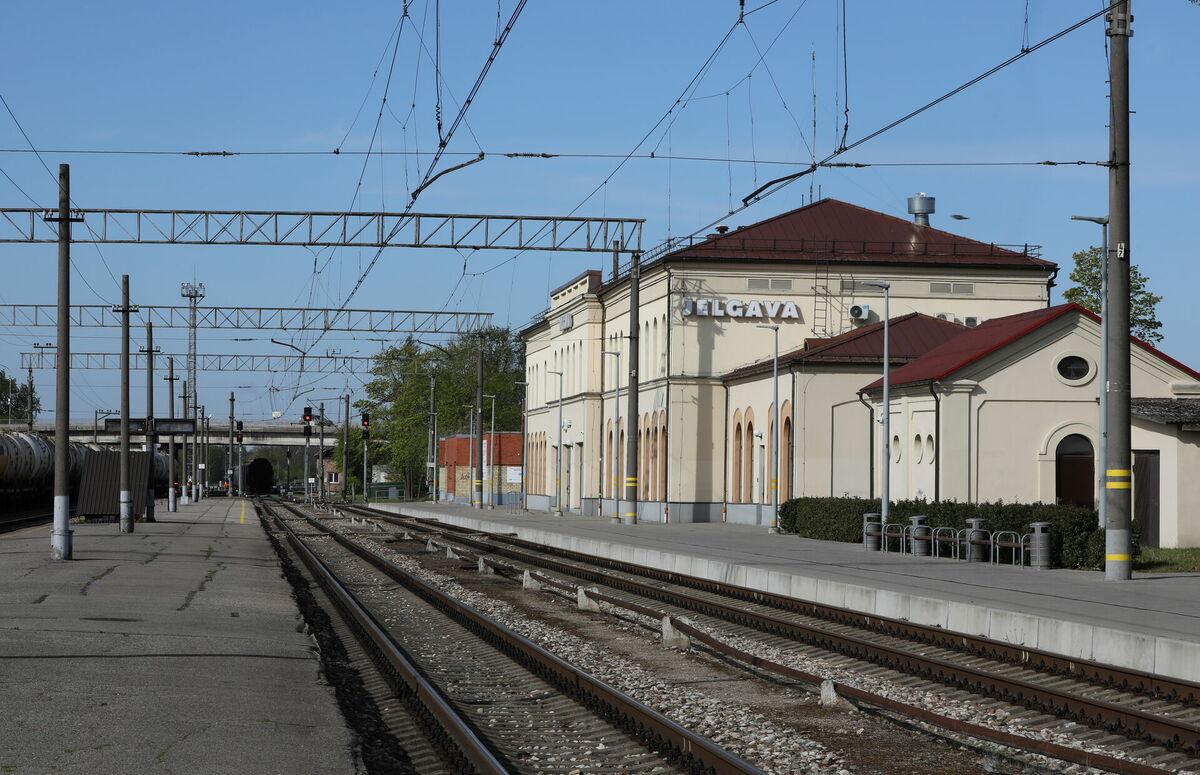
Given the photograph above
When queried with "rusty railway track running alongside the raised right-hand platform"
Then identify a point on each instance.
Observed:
(1151, 718)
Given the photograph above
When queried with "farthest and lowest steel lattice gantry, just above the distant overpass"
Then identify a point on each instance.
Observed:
(307, 364)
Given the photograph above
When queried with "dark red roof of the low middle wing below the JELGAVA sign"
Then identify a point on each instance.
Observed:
(911, 337)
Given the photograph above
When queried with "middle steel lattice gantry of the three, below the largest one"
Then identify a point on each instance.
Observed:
(261, 319)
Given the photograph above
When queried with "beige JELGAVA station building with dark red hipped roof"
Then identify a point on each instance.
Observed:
(706, 429)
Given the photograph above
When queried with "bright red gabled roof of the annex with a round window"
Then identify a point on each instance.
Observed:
(991, 337)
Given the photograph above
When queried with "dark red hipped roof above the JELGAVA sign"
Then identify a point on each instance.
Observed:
(837, 232)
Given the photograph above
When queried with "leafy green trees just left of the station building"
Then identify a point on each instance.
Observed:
(399, 399)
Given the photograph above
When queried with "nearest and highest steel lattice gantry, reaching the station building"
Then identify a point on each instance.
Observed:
(331, 230)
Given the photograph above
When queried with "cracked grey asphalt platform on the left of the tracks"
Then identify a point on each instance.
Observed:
(172, 650)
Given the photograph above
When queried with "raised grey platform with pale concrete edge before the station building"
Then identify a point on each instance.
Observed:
(1151, 623)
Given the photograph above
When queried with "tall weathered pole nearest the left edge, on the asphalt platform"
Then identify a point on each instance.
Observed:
(61, 536)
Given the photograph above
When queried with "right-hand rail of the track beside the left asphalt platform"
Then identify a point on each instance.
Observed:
(657, 731)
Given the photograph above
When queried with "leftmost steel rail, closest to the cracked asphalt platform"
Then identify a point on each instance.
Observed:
(448, 731)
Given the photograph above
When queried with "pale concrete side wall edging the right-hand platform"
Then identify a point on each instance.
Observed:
(1124, 648)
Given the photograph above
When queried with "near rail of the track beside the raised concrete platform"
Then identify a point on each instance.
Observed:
(1096, 713)
